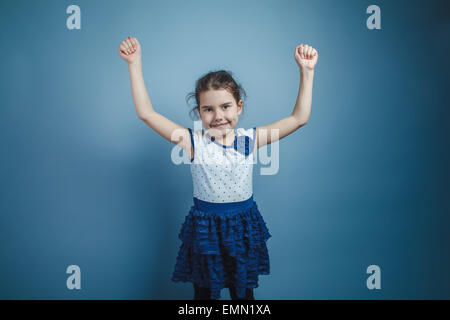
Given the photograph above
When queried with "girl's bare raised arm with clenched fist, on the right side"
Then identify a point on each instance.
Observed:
(306, 59)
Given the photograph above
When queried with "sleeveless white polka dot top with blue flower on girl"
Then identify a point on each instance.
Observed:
(223, 173)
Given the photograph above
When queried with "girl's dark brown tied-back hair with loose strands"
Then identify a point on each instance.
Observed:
(215, 80)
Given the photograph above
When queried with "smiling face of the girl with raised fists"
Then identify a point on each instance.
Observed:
(219, 111)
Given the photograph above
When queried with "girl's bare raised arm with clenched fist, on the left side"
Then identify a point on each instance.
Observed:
(130, 51)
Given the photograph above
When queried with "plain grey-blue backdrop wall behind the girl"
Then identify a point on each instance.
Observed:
(85, 182)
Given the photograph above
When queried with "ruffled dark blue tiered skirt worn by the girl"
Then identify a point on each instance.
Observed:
(223, 246)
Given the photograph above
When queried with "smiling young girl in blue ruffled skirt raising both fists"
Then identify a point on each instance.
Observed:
(224, 235)
